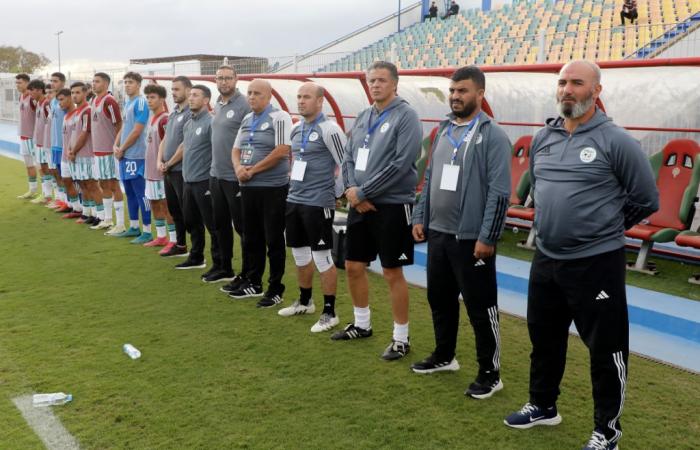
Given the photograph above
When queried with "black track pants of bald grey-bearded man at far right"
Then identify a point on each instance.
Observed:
(591, 292)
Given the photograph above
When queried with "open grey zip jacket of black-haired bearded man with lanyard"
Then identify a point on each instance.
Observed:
(485, 184)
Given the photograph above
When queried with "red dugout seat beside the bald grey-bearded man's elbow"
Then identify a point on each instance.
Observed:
(677, 177)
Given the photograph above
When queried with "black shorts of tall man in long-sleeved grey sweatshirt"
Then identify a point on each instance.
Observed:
(386, 232)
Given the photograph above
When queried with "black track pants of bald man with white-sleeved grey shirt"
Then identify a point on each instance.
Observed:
(263, 227)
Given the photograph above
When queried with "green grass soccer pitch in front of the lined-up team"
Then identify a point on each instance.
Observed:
(217, 373)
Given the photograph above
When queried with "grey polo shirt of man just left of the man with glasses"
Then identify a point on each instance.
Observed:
(196, 158)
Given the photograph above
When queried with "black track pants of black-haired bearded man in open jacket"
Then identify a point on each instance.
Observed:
(453, 270)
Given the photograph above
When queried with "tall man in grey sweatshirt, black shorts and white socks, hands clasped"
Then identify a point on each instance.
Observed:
(380, 175)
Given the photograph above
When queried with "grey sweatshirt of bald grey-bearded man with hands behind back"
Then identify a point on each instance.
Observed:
(588, 187)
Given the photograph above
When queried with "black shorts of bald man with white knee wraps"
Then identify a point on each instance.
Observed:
(309, 226)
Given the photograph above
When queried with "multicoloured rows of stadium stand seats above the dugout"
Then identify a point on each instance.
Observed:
(511, 34)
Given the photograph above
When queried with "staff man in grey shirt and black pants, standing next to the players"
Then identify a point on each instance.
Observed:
(170, 163)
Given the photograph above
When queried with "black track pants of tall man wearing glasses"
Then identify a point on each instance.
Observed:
(226, 202)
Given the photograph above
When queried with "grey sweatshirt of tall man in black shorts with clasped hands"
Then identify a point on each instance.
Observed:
(390, 176)
